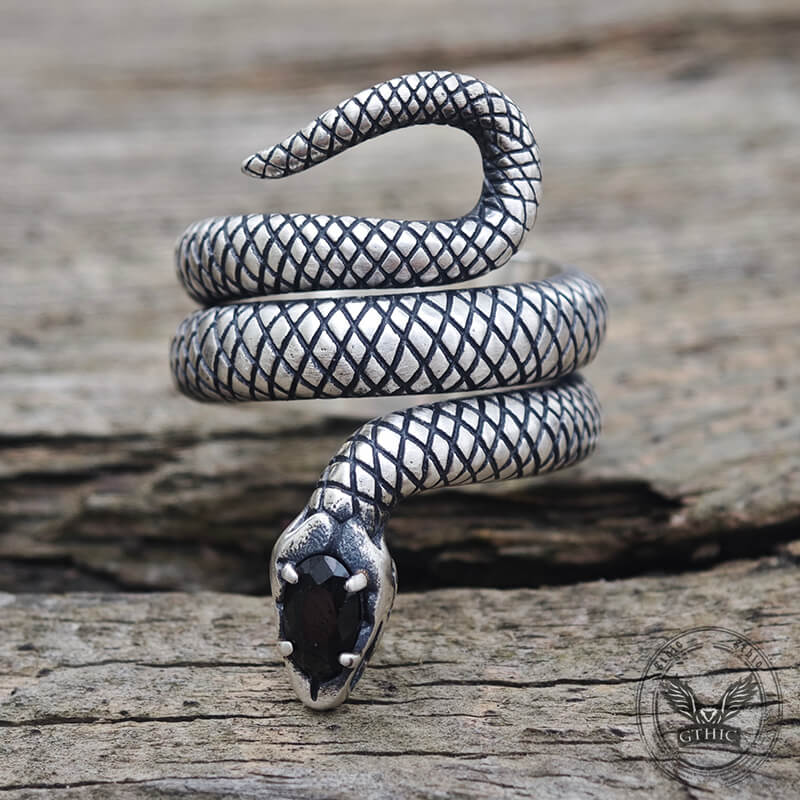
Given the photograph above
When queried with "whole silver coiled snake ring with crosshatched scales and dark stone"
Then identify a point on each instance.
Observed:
(332, 577)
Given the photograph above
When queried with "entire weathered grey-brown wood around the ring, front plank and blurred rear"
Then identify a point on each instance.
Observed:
(670, 135)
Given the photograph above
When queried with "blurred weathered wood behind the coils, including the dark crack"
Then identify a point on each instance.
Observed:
(671, 162)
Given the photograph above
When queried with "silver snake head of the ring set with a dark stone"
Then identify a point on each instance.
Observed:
(334, 584)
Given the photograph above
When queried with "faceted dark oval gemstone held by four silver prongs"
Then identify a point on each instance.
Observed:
(320, 618)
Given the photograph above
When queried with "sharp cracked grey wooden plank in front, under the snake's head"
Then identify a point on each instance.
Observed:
(522, 693)
